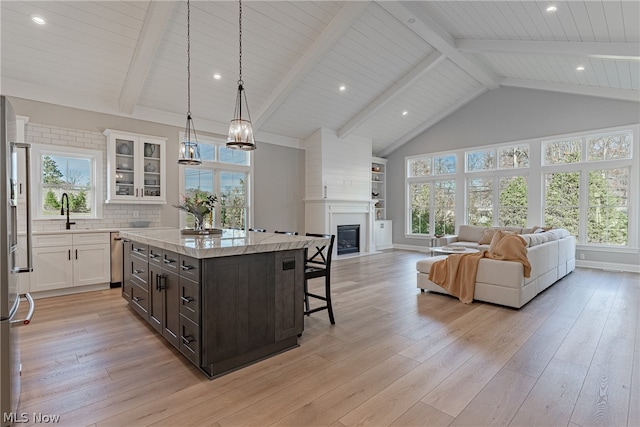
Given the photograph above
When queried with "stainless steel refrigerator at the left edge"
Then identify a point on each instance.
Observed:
(10, 298)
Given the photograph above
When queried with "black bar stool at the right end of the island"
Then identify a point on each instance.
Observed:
(319, 265)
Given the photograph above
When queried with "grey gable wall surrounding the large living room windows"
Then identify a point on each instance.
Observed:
(506, 115)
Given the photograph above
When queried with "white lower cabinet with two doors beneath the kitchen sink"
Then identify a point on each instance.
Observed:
(67, 260)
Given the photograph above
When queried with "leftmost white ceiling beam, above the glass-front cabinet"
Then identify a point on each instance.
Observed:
(153, 28)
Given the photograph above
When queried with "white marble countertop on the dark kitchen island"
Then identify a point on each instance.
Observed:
(231, 242)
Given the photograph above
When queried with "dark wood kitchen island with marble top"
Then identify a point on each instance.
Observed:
(224, 301)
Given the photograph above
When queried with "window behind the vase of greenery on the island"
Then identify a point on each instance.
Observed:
(225, 173)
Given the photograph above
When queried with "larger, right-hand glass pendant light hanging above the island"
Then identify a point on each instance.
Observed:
(240, 130)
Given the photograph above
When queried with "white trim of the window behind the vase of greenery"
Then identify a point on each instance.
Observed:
(216, 167)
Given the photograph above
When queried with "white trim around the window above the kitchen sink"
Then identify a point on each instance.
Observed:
(97, 177)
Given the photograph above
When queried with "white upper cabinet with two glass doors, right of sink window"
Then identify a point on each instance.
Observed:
(135, 168)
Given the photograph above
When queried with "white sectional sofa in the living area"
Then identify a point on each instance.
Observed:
(551, 254)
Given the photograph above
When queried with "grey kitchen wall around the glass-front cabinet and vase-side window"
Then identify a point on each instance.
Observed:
(278, 173)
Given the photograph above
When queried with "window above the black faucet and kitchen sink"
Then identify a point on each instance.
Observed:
(59, 170)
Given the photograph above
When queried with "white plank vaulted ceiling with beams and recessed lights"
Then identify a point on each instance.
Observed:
(404, 65)
